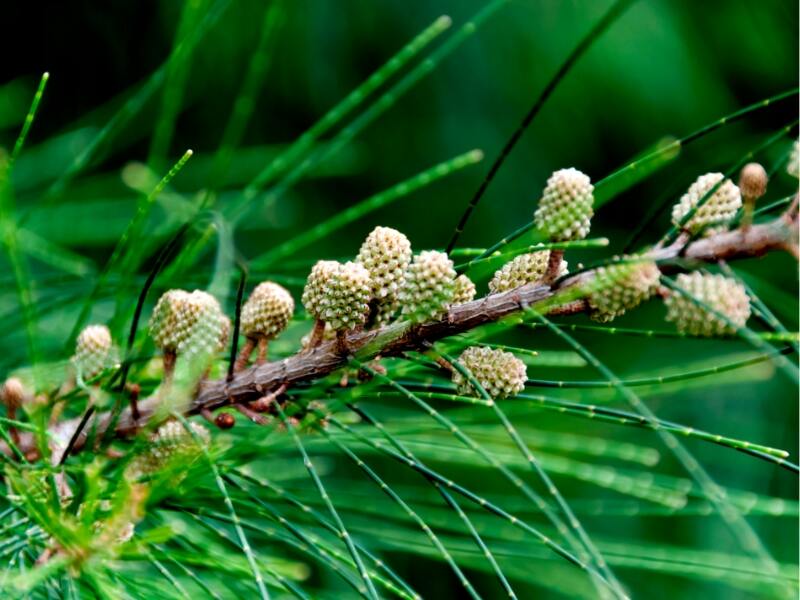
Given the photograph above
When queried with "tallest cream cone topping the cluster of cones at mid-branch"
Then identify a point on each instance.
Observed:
(386, 254)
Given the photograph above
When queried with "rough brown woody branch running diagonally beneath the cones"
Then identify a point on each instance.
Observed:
(397, 338)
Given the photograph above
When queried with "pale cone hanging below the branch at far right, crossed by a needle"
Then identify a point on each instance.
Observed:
(724, 295)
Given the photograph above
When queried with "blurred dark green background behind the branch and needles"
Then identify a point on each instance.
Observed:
(666, 68)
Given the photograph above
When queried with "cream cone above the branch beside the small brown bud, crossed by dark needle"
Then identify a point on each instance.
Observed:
(718, 209)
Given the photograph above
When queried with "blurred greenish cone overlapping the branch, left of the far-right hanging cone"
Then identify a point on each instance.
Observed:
(617, 288)
